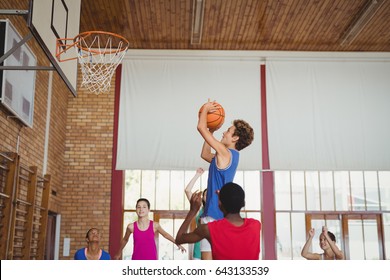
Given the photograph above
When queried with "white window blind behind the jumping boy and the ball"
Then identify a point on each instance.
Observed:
(159, 103)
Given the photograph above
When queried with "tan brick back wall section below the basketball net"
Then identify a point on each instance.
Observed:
(87, 173)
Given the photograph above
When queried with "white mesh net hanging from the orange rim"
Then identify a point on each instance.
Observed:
(98, 60)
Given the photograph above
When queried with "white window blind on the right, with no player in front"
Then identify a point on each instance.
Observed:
(328, 114)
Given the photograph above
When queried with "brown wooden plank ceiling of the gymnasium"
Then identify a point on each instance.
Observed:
(271, 25)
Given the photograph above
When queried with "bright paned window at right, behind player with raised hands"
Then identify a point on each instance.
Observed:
(328, 198)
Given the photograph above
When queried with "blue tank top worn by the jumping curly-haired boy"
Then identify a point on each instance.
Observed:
(217, 178)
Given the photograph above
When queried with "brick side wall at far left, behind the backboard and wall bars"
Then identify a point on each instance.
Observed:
(32, 140)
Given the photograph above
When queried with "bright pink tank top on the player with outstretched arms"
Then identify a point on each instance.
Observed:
(144, 243)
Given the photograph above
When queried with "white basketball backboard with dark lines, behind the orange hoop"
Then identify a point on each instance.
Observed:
(50, 20)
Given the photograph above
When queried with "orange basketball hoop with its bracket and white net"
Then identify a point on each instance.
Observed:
(99, 54)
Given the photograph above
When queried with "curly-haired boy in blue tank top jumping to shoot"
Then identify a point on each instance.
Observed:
(223, 163)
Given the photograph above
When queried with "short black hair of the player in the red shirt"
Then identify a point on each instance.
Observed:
(232, 198)
